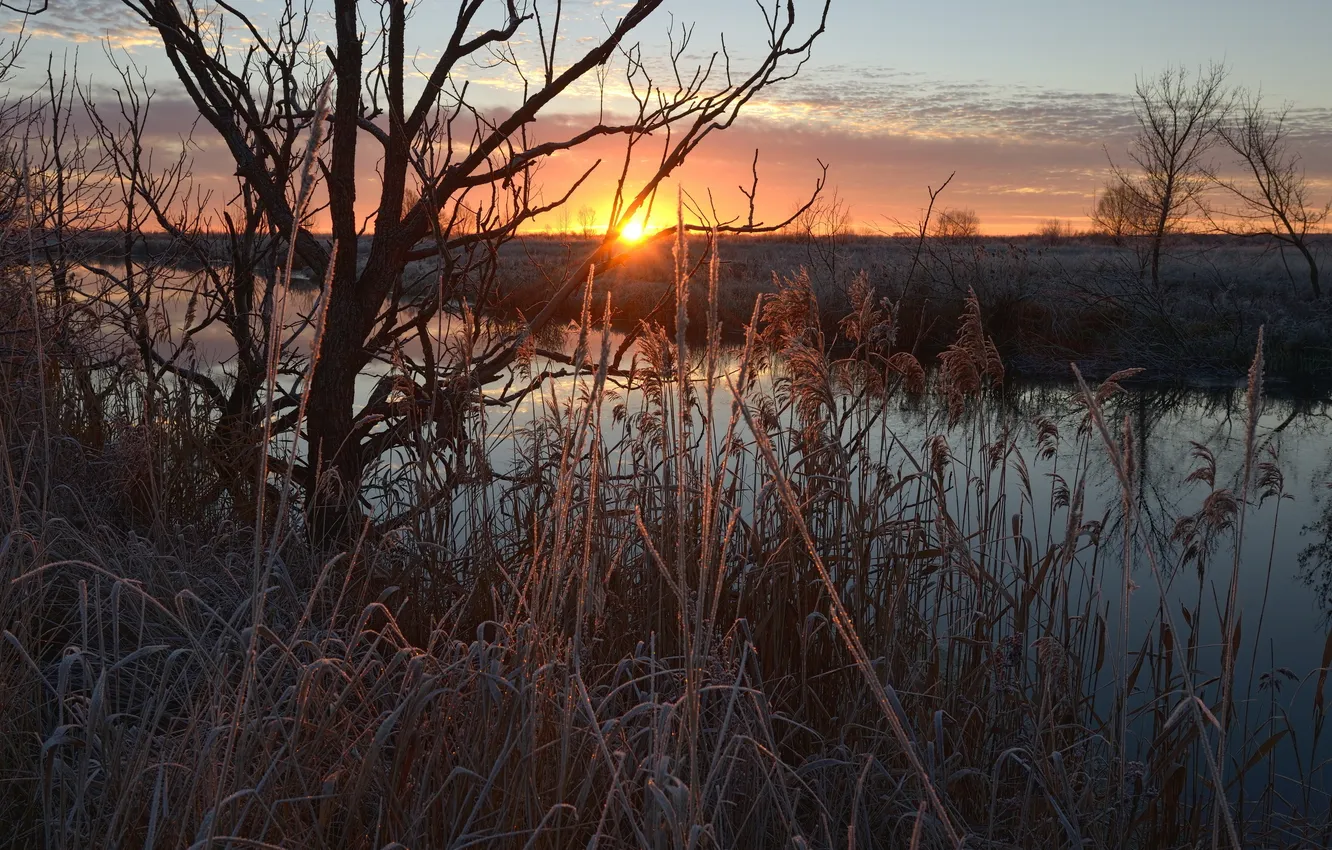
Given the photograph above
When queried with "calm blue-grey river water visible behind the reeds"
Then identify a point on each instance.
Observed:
(1286, 562)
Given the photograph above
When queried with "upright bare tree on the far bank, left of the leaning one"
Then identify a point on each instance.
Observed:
(1178, 118)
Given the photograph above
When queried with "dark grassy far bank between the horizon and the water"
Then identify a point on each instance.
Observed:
(1045, 302)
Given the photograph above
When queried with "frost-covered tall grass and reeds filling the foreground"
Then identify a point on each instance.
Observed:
(717, 600)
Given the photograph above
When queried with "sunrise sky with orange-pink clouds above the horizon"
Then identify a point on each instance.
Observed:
(1026, 102)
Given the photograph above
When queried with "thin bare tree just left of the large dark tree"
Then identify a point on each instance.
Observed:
(165, 244)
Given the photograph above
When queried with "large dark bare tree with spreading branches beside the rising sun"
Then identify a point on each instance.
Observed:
(474, 171)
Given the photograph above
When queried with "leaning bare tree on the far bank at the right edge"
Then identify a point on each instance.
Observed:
(1274, 197)
